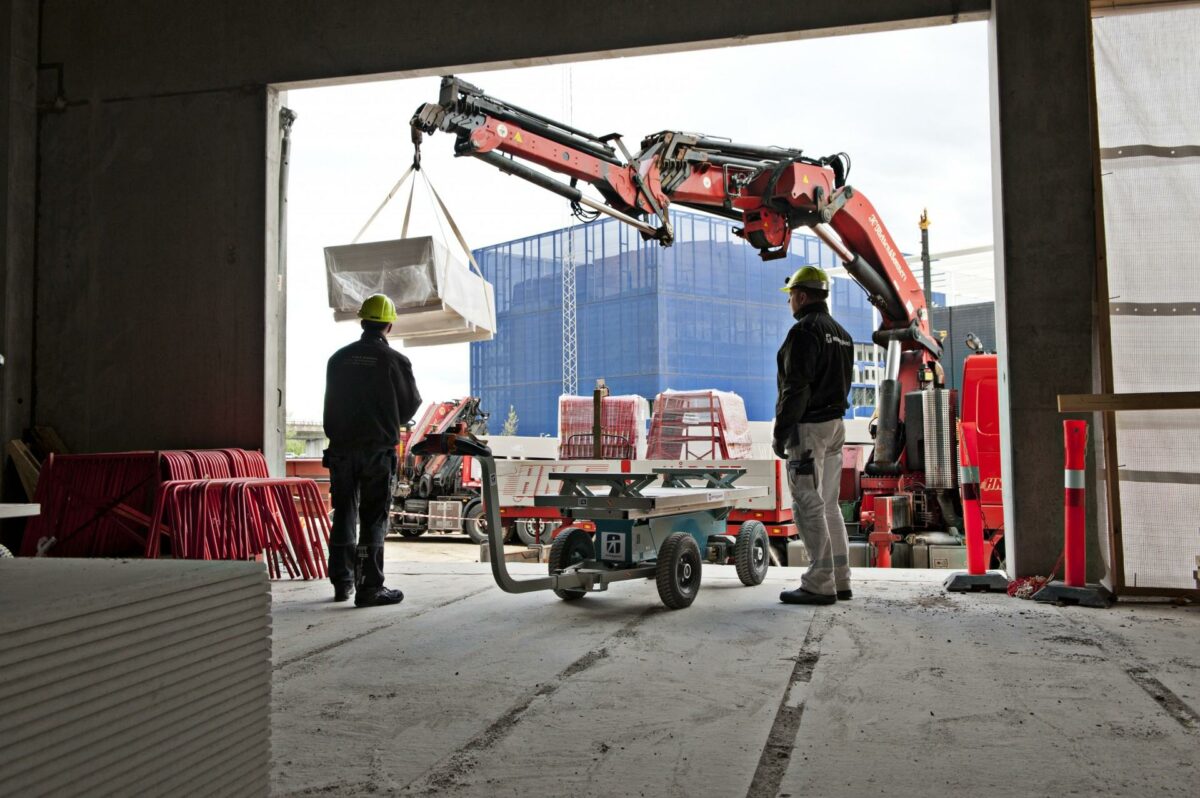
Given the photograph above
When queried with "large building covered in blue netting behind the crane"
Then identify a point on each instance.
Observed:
(704, 314)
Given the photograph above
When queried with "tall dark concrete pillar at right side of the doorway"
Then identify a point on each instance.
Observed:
(1046, 201)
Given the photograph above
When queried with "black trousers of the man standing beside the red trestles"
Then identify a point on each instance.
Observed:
(361, 485)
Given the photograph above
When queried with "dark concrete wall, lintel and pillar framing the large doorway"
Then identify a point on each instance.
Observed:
(157, 178)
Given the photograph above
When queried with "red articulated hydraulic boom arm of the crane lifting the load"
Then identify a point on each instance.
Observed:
(770, 190)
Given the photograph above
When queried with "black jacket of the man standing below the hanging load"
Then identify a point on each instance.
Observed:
(369, 393)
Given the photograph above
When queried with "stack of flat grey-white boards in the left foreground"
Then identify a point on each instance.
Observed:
(135, 679)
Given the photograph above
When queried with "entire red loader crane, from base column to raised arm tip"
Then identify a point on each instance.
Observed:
(910, 482)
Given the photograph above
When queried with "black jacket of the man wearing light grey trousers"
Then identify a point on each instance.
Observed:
(817, 365)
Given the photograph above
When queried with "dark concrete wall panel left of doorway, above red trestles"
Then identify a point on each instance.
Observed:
(152, 274)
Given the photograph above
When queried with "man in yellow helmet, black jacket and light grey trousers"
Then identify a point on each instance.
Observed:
(815, 367)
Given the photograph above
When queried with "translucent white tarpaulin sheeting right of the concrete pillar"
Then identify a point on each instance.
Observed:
(1148, 81)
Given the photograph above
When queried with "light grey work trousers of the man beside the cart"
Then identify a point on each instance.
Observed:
(814, 475)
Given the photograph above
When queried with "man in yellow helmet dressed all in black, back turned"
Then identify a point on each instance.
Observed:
(370, 393)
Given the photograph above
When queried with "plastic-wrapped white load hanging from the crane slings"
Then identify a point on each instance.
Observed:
(439, 299)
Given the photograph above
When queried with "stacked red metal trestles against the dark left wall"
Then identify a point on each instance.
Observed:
(206, 505)
